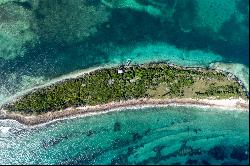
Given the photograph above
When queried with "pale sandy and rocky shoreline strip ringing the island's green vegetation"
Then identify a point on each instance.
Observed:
(67, 112)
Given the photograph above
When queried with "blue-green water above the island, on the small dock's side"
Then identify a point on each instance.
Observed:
(44, 39)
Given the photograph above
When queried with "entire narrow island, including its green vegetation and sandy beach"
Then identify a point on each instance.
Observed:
(124, 86)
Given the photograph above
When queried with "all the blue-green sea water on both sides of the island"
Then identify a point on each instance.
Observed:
(44, 39)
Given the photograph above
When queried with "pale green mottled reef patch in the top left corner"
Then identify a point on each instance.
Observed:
(16, 29)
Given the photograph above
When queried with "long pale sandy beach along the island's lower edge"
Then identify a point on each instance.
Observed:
(228, 104)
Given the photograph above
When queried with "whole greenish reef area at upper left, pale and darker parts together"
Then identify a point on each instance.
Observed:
(28, 23)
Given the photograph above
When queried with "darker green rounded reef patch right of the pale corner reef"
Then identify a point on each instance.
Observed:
(68, 22)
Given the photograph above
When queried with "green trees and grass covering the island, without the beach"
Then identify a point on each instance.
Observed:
(106, 85)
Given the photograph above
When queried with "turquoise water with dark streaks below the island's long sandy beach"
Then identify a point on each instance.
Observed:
(170, 135)
